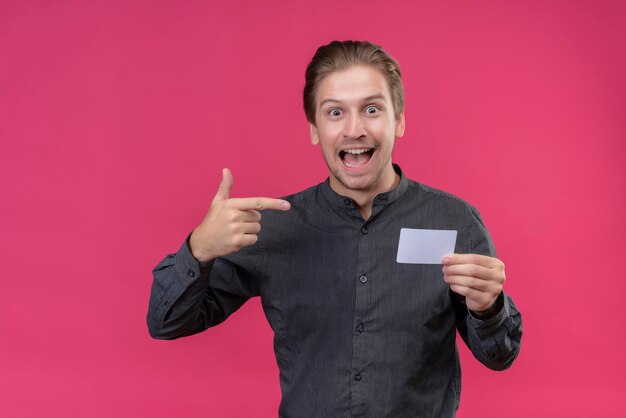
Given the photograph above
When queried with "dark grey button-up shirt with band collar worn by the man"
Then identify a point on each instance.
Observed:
(355, 332)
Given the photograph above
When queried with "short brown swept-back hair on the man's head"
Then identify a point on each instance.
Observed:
(340, 55)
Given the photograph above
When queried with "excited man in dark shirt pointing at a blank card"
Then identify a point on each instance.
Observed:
(356, 332)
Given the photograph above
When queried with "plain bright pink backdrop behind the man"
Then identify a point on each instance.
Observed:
(116, 119)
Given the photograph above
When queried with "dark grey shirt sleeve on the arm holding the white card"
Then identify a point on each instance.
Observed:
(494, 340)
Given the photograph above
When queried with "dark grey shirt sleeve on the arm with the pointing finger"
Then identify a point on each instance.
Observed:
(188, 296)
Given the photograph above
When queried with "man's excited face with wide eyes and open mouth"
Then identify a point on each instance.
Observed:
(356, 127)
